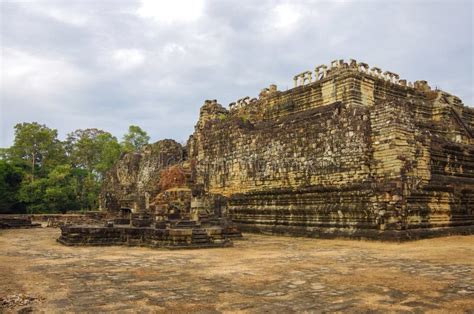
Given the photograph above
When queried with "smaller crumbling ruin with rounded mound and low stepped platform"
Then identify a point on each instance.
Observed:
(147, 196)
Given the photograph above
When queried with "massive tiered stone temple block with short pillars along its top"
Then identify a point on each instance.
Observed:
(352, 152)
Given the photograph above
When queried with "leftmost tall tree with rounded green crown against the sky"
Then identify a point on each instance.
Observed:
(37, 145)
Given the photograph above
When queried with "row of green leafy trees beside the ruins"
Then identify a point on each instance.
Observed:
(41, 174)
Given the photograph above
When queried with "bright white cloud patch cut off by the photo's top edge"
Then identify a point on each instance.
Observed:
(167, 11)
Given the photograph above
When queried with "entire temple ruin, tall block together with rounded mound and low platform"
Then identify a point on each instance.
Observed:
(349, 151)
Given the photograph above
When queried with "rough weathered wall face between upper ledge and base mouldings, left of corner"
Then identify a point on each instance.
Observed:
(321, 146)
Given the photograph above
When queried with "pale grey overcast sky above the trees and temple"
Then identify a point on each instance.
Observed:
(79, 64)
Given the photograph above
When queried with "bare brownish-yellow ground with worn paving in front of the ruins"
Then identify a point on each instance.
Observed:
(260, 274)
